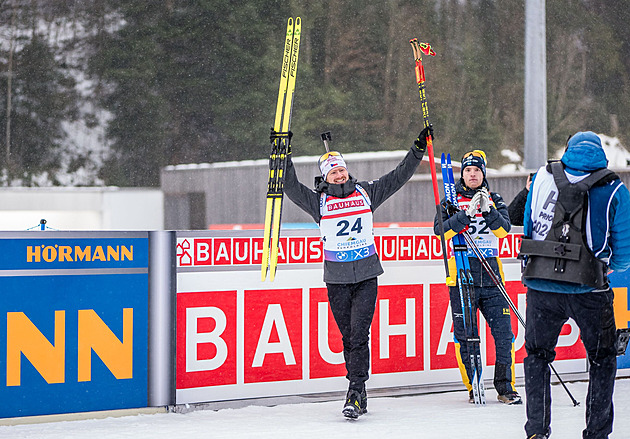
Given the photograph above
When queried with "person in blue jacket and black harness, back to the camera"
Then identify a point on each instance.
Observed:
(576, 231)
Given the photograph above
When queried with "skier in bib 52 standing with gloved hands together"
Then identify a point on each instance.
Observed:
(484, 215)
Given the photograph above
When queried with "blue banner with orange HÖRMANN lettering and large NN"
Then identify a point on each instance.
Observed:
(73, 321)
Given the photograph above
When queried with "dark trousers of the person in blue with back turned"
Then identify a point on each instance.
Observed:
(594, 315)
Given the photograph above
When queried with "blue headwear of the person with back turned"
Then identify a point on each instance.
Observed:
(584, 152)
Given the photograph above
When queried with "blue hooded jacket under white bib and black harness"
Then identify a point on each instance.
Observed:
(608, 227)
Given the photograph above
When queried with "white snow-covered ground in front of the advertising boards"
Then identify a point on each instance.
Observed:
(439, 415)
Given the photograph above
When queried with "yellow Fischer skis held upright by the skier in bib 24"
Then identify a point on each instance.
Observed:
(280, 141)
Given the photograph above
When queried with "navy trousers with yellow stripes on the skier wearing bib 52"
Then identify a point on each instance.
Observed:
(496, 311)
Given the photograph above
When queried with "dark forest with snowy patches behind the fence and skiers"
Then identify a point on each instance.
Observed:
(168, 82)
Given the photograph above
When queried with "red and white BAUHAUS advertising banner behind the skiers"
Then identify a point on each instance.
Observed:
(238, 337)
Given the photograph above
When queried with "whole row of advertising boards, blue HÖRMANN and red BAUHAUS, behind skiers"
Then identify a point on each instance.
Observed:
(113, 320)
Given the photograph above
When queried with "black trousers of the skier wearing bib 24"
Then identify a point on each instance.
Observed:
(353, 306)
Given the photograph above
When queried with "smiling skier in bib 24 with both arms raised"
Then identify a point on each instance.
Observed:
(343, 208)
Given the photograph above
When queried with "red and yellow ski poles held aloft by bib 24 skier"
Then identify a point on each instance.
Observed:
(418, 49)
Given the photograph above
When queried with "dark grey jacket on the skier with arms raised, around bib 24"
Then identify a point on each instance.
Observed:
(378, 190)
